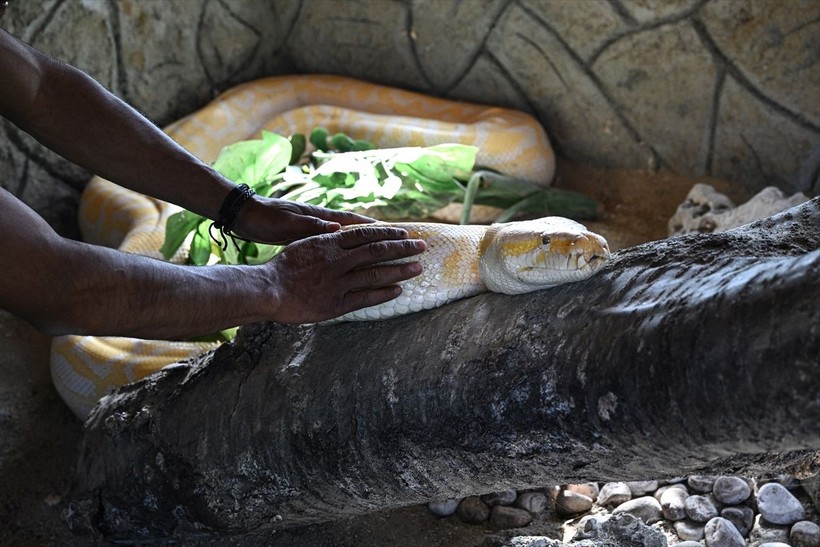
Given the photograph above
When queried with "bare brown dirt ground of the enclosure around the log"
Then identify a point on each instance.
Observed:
(40, 436)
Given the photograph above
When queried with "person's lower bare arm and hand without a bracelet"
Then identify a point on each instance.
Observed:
(63, 286)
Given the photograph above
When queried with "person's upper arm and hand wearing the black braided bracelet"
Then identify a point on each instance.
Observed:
(73, 115)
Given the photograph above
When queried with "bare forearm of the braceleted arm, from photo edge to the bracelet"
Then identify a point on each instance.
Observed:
(120, 145)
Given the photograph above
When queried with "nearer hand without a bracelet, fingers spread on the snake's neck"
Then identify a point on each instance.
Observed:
(325, 276)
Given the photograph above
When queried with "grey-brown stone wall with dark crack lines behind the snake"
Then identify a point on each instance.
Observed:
(720, 87)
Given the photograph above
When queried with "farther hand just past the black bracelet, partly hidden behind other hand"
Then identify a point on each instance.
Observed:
(279, 221)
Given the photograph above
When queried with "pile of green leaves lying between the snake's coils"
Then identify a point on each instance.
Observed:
(347, 174)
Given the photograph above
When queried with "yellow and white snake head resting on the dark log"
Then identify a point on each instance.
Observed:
(519, 257)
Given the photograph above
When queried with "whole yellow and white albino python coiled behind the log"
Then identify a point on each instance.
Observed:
(537, 253)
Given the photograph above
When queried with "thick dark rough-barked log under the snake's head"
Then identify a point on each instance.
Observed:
(679, 353)
